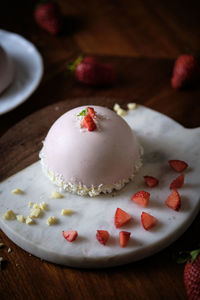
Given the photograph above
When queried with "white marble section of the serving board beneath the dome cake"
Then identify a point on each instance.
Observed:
(162, 139)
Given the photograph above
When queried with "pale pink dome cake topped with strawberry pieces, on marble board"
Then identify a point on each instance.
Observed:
(90, 150)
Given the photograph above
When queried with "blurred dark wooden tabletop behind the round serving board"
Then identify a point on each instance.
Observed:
(140, 39)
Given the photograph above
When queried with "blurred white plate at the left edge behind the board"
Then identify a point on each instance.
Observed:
(28, 70)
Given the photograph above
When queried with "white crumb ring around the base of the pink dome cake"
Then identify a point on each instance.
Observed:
(82, 189)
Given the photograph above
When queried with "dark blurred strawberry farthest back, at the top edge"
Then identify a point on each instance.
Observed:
(48, 16)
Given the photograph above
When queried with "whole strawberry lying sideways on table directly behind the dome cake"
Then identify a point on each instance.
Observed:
(89, 71)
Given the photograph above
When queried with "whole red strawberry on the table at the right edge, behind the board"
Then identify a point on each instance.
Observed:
(186, 71)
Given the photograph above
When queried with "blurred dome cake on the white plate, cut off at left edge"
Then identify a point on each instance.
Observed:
(6, 70)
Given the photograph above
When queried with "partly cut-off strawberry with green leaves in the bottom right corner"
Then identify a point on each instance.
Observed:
(192, 276)
